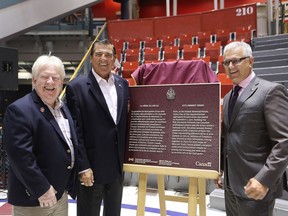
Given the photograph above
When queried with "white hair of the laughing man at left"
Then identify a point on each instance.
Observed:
(48, 60)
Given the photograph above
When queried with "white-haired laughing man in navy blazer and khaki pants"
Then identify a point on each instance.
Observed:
(39, 137)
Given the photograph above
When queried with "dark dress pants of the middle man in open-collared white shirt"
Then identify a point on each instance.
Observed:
(89, 199)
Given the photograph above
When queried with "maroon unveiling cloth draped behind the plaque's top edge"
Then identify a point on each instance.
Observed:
(176, 72)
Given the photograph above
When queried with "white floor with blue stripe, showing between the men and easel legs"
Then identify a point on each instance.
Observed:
(129, 204)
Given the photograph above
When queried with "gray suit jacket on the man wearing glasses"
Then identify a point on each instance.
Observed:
(256, 139)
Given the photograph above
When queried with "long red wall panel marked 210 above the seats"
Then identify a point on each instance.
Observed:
(242, 16)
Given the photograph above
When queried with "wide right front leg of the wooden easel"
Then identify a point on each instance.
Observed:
(192, 199)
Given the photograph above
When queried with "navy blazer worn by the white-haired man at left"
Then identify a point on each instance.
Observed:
(37, 151)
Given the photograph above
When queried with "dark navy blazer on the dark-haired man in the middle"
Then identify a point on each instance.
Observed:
(101, 141)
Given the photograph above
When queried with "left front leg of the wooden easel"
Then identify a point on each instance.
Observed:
(142, 194)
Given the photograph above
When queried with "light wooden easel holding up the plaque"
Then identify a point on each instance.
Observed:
(197, 179)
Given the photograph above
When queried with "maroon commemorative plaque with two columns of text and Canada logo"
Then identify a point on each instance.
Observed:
(174, 126)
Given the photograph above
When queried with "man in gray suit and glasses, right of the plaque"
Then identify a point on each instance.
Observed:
(254, 137)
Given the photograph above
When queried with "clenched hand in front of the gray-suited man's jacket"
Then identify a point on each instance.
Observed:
(255, 190)
